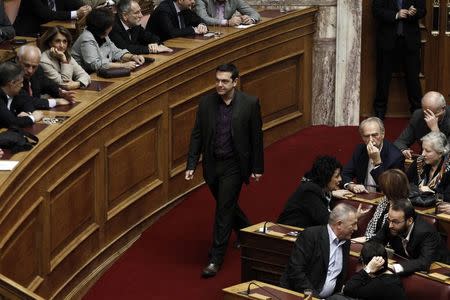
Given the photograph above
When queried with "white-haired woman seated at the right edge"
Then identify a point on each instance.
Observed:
(431, 171)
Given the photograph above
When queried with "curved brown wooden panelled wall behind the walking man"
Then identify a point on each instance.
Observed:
(88, 190)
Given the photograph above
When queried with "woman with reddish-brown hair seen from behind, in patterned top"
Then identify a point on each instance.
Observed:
(394, 185)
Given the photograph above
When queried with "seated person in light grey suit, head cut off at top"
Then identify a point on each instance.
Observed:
(220, 12)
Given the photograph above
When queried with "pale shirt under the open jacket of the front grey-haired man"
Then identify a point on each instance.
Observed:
(334, 264)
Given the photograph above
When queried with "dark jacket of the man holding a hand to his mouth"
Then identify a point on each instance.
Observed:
(356, 168)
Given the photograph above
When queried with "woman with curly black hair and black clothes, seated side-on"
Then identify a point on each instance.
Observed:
(310, 203)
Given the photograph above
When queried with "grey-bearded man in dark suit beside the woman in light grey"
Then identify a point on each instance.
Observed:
(127, 32)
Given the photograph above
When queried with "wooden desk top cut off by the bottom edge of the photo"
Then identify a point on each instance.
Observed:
(237, 292)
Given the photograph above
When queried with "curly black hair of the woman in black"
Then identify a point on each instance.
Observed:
(323, 169)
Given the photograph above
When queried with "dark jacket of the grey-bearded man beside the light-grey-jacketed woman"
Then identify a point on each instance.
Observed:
(138, 43)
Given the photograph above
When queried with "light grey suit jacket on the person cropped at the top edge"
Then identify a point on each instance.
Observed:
(207, 9)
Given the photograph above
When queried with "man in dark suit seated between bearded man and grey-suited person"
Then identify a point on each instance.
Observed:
(175, 18)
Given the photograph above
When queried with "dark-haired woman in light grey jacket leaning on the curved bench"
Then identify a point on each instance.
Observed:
(93, 49)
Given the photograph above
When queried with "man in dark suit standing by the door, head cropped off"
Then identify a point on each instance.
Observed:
(398, 39)
